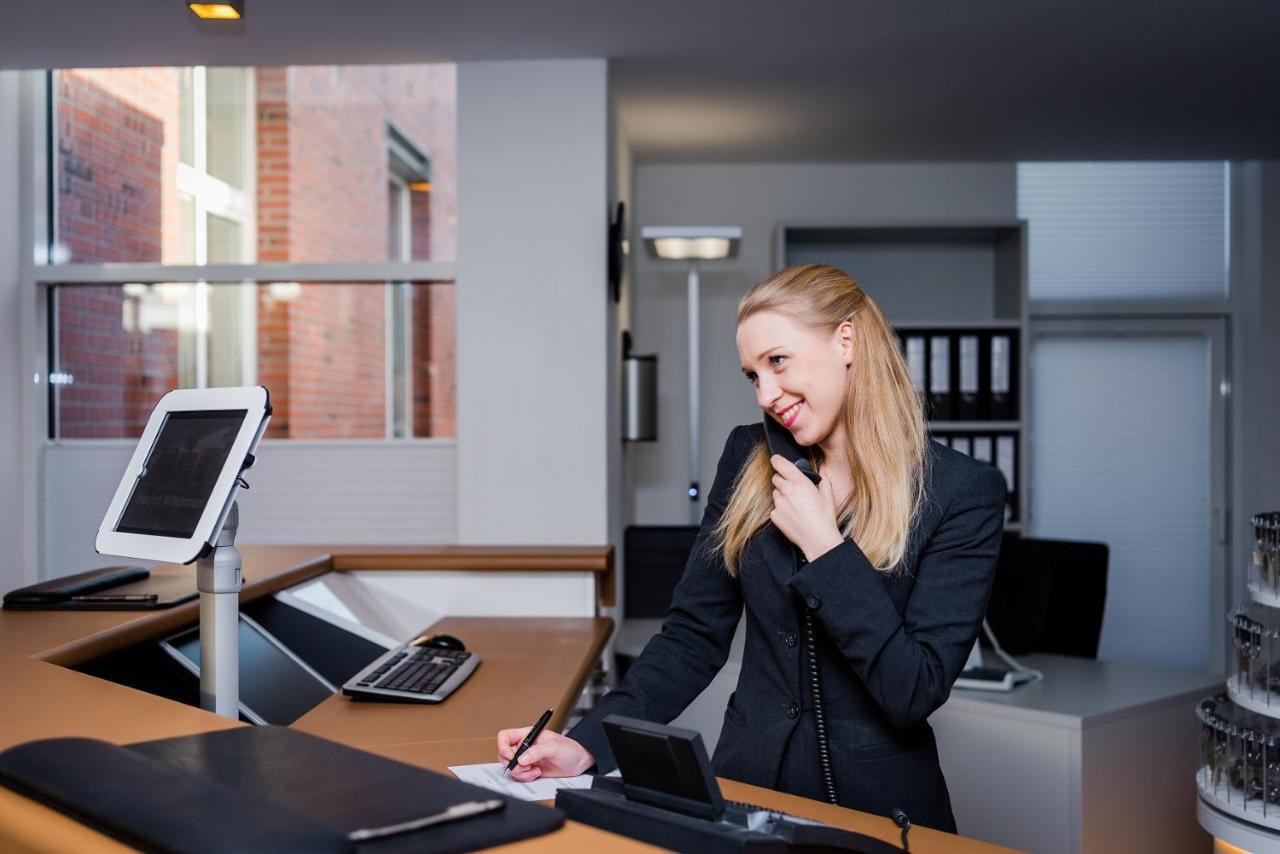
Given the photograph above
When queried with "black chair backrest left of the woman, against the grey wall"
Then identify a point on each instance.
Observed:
(655, 558)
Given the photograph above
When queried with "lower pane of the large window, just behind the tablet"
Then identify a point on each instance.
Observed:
(321, 349)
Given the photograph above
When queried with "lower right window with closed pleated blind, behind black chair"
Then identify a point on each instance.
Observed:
(1126, 415)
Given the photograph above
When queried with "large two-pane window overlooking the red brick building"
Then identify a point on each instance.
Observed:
(344, 175)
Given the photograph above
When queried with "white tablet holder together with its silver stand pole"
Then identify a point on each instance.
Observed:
(191, 456)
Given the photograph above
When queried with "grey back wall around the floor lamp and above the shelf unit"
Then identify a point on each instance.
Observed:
(757, 198)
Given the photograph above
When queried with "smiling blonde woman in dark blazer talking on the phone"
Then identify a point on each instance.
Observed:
(892, 555)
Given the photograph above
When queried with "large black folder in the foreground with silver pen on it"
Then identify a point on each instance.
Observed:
(258, 789)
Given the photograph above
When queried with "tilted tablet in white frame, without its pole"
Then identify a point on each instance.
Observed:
(181, 482)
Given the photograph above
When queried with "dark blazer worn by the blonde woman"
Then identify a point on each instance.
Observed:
(890, 646)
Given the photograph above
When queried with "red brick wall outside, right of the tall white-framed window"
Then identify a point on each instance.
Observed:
(323, 173)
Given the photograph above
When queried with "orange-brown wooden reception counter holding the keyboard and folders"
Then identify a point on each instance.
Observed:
(529, 664)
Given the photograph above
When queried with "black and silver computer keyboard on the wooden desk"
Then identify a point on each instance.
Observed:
(413, 675)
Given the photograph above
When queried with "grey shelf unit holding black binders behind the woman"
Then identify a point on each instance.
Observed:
(950, 276)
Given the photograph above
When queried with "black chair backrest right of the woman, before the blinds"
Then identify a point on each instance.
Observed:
(1050, 596)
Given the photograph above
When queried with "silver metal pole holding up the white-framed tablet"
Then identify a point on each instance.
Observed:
(220, 581)
